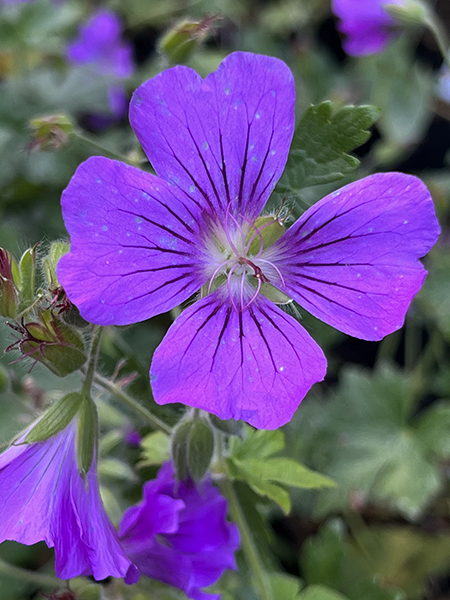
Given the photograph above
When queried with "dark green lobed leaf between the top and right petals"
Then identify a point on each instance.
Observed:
(321, 143)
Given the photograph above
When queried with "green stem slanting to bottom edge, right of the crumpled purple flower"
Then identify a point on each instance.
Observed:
(248, 545)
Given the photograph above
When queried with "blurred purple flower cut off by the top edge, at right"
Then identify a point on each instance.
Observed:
(367, 25)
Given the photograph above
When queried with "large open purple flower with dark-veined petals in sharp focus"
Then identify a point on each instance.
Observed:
(142, 245)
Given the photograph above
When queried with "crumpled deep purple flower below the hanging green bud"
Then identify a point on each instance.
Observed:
(179, 534)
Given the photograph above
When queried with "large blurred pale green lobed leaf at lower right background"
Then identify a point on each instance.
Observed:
(372, 446)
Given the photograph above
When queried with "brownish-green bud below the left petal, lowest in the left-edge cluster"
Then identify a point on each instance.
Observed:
(51, 342)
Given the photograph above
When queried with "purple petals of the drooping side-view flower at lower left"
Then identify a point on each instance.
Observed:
(43, 497)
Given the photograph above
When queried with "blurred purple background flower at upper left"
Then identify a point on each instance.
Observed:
(100, 45)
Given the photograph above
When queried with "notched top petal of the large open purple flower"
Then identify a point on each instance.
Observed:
(221, 140)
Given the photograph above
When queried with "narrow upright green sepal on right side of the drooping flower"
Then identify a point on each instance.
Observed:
(87, 436)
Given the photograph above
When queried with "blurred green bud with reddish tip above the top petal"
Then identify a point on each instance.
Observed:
(179, 43)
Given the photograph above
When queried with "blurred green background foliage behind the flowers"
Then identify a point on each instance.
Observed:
(379, 425)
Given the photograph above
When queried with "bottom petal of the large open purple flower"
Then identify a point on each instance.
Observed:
(255, 365)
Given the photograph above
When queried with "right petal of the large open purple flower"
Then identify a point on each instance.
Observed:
(352, 259)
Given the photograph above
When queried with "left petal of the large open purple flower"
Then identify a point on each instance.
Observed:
(135, 248)
